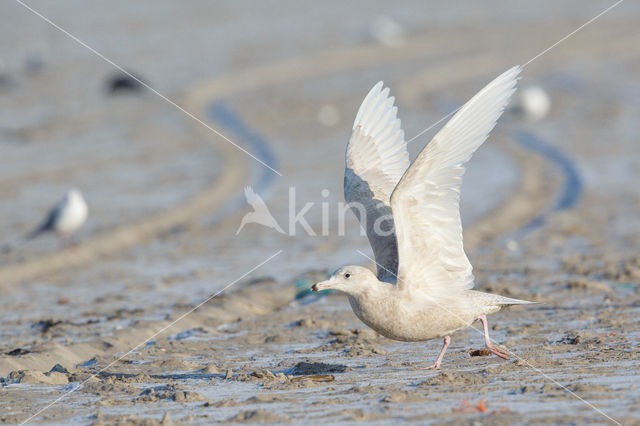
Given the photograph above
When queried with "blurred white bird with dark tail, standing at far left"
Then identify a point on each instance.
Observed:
(66, 217)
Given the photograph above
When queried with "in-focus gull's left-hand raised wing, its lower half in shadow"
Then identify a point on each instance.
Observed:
(376, 159)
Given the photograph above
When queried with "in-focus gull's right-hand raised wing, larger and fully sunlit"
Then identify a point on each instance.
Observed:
(426, 202)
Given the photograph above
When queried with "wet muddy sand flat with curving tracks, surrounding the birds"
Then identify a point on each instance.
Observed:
(161, 313)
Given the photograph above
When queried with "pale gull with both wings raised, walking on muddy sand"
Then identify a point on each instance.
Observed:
(423, 287)
